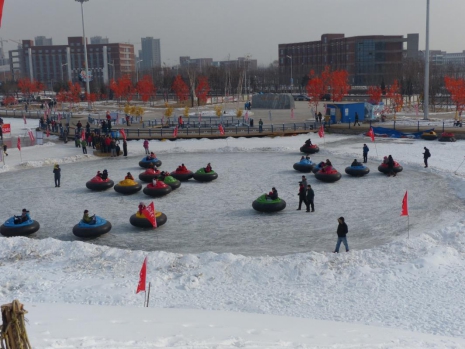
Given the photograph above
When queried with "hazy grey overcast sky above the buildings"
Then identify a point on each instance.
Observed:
(218, 28)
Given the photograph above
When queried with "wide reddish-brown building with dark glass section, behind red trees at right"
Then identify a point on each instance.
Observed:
(368, 59)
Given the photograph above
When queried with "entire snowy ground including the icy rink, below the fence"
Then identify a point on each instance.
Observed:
(224, 276)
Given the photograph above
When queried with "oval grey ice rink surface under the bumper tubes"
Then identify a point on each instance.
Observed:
(218, 216)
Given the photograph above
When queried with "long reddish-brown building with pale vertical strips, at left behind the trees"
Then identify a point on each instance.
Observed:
(53, 63)
